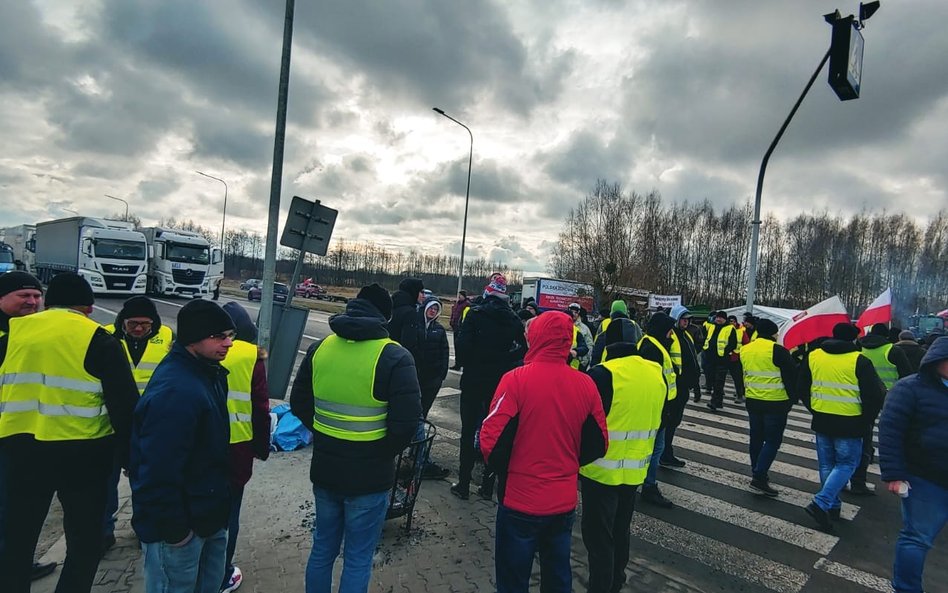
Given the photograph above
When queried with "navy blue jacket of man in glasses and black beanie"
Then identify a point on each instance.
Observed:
(180, 456)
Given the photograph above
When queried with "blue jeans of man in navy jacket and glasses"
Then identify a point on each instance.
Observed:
(195, 567)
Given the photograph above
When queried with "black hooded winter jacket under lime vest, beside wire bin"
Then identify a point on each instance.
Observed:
(352, 467)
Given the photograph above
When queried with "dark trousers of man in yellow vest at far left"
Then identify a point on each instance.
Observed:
(77, 473)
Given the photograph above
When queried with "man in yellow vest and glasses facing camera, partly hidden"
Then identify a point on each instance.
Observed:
(146, 342)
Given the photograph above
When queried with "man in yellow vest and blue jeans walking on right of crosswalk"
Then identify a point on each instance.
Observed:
(842, 390)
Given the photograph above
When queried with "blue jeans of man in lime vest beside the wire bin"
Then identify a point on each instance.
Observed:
(358, 520)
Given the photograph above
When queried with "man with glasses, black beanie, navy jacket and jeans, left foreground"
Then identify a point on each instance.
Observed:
(180, 457)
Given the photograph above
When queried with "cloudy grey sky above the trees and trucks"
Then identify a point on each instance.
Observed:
(130, 97)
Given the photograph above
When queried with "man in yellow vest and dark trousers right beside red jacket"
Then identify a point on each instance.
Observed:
(633, 392)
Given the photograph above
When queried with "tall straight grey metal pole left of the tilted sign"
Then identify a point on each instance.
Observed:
(276, 183)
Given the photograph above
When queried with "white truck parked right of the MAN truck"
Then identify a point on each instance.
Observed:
(179, 262)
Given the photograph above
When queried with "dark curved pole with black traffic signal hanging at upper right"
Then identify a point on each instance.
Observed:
(845, 78)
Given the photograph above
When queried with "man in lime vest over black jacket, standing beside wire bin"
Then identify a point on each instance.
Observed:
(357, 391)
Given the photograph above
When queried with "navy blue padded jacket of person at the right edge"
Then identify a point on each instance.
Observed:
(913, 431)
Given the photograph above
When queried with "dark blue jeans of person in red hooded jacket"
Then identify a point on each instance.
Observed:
(518, 537)
